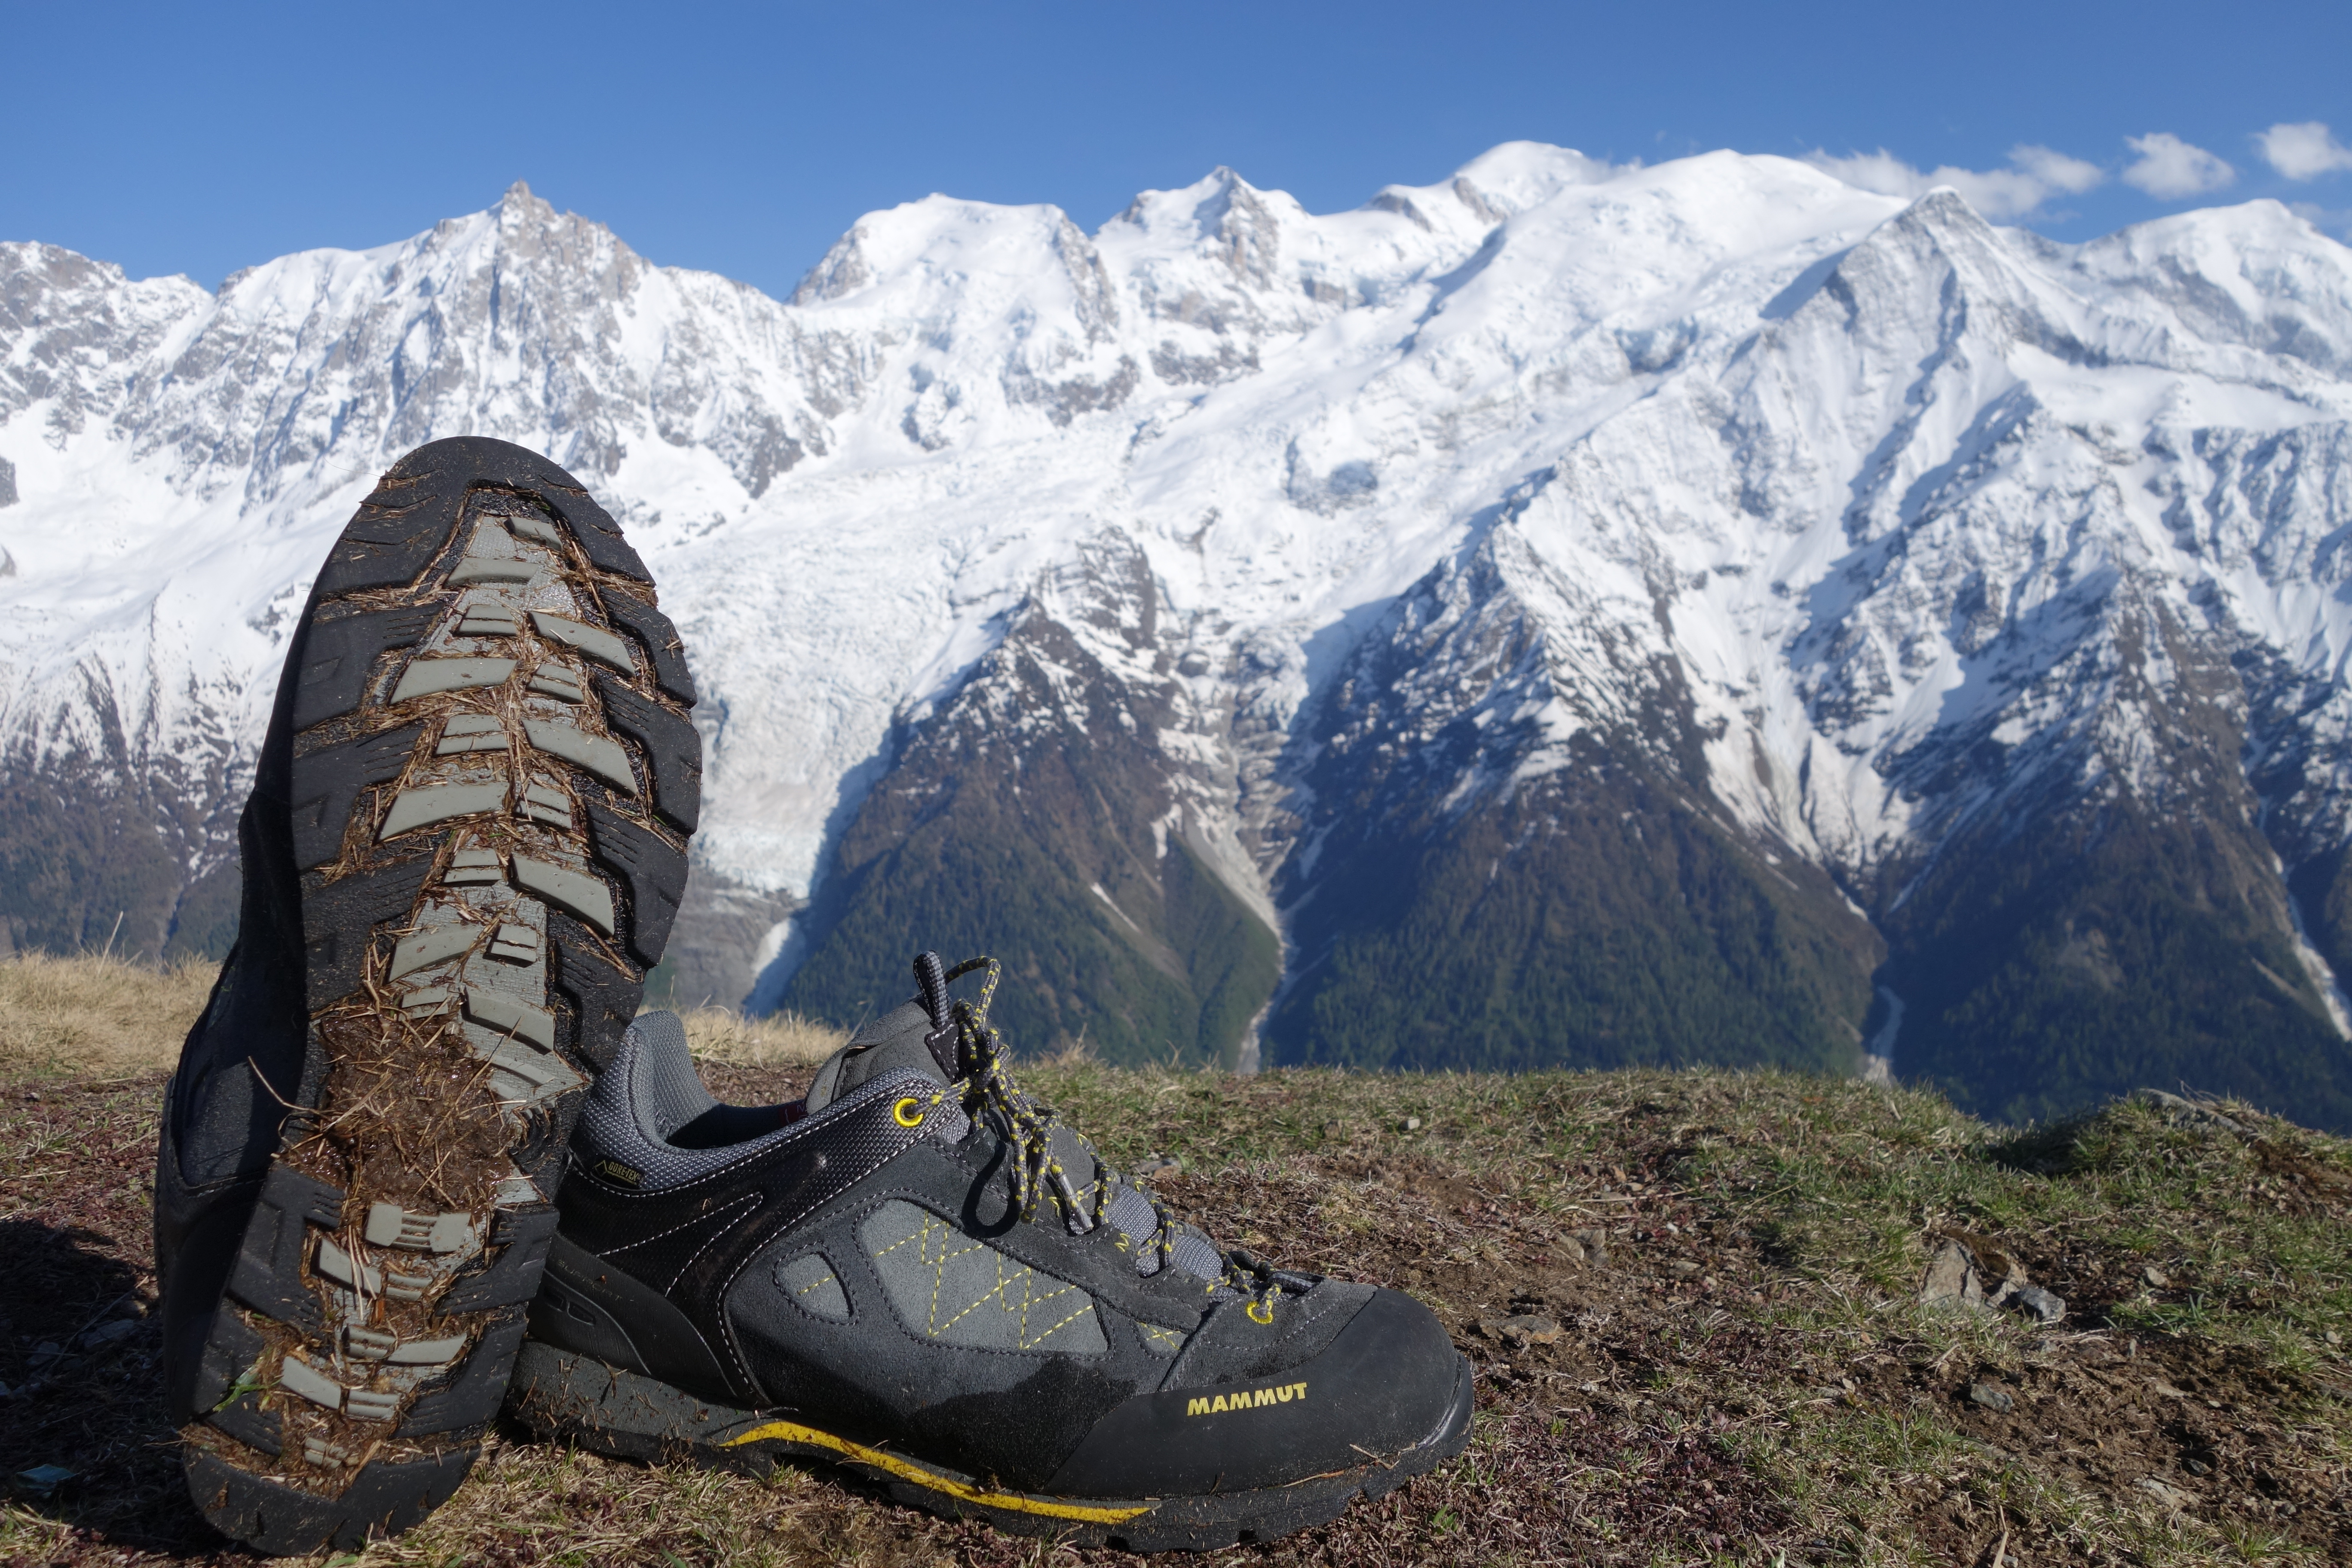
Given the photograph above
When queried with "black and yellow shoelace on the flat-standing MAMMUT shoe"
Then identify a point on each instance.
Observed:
(1038, 1172)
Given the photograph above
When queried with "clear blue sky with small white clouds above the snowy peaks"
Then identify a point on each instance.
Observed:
(744, 140)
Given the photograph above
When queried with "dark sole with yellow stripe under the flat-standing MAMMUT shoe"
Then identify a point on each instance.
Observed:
(580, 1400)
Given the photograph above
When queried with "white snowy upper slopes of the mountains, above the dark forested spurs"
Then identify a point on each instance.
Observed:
(1923, 528)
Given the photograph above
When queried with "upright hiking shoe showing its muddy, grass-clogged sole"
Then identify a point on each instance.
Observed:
(462, 855)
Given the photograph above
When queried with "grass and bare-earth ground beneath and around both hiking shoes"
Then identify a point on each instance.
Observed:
(1742, 1369)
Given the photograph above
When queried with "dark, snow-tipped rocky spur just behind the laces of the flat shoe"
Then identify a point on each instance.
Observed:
(1041, 808)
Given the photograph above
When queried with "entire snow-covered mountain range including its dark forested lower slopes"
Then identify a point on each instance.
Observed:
(1589, 612)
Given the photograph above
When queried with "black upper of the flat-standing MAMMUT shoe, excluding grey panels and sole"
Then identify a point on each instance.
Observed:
(683, 1285)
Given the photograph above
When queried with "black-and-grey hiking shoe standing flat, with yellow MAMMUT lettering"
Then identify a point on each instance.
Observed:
(918, 1273)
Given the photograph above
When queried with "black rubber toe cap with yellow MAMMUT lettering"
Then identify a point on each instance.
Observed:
(1387, 1383)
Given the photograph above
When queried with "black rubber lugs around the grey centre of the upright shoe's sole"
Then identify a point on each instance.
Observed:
(401, 540)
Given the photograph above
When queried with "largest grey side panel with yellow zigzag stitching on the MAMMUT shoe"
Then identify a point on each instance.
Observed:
(961, 1292)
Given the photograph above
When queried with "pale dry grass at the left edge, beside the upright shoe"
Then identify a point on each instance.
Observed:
(95, 1017)
